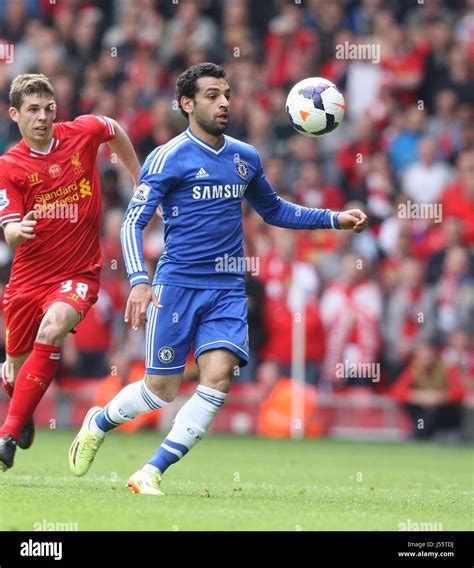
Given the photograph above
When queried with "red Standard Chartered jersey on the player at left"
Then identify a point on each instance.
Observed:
(62, 185)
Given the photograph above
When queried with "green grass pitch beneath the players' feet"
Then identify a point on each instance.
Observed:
(243, 483)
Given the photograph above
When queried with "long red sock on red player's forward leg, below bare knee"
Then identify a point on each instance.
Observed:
(34, 378)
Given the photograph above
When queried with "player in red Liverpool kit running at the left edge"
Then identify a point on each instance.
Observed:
(50, 210)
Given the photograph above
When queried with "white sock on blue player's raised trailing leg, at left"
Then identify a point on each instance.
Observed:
(132, 400)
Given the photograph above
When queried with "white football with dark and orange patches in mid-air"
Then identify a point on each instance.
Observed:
(315, 106)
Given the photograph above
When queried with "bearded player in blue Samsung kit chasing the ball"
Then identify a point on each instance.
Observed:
(197, 298)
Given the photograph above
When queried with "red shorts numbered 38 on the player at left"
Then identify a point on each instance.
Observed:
(24, 310)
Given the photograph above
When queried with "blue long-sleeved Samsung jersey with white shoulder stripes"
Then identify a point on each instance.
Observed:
(200, 190)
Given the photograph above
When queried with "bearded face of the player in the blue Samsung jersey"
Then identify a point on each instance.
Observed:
(211, 105)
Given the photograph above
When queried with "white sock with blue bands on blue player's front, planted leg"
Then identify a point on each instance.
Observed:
(191, 423)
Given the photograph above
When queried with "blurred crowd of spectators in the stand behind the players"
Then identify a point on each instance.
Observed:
(401, 289)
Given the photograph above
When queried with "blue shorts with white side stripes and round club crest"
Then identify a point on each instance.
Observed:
(201, 319)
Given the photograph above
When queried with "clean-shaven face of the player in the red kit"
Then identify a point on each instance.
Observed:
(35, 119)
